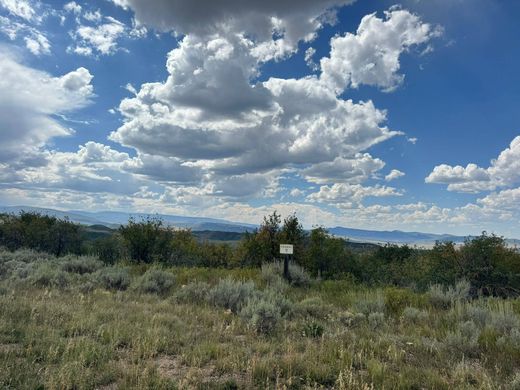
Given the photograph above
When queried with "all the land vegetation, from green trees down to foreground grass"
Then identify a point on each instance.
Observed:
(152, 307)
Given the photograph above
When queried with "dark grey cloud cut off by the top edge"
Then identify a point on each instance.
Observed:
(292, 20)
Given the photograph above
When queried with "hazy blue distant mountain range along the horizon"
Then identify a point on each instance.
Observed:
(114, 219)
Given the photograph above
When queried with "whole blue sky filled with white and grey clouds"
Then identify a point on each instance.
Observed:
(365, 114)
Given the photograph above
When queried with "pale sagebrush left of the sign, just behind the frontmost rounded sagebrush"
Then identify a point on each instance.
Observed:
(232, 295)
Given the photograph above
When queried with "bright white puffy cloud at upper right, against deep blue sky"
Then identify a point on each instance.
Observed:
(371, 56)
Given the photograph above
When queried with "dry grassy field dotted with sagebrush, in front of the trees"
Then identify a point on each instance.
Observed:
(72, 323)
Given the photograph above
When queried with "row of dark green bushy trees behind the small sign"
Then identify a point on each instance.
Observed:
(485, 261)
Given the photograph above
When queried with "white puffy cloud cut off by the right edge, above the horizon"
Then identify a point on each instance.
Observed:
(504, 171)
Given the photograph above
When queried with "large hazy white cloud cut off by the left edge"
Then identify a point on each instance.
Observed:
(29, 101)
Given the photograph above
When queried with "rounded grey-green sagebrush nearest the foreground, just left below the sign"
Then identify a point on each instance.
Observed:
(262, 315)
